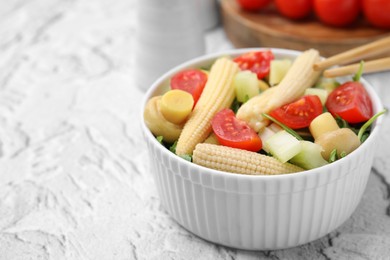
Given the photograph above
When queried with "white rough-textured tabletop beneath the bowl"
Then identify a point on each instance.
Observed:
(74, 174)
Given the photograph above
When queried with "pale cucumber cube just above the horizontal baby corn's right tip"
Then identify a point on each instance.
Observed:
(283, 146)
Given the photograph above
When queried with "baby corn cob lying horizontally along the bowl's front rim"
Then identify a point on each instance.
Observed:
(234, 160)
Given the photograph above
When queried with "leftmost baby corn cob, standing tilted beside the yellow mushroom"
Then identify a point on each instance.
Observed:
(217, 94)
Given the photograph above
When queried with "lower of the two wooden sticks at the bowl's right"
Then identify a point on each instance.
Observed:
(369, 67)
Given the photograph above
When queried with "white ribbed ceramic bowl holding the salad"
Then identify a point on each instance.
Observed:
(259, 212)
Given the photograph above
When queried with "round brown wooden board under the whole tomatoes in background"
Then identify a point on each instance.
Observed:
(267, 28)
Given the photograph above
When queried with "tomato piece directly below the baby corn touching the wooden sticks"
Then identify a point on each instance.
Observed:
(300, 113)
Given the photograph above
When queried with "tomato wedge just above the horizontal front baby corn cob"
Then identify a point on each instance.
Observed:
(235, 133)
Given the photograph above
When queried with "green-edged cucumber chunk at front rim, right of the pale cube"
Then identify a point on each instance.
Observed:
(309, 157)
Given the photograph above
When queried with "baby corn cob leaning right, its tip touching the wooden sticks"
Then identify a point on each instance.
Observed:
(298, 78)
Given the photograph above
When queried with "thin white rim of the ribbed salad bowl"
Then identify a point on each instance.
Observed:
(377, 106)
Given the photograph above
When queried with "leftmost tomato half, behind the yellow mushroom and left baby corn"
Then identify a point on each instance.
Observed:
(190, 80)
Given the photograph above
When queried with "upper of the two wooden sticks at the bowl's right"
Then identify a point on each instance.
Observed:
(355, 54)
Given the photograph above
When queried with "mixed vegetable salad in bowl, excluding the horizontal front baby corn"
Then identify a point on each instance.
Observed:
(306, 120)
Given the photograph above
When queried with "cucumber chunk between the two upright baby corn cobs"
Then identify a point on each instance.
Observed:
(246, 85)
